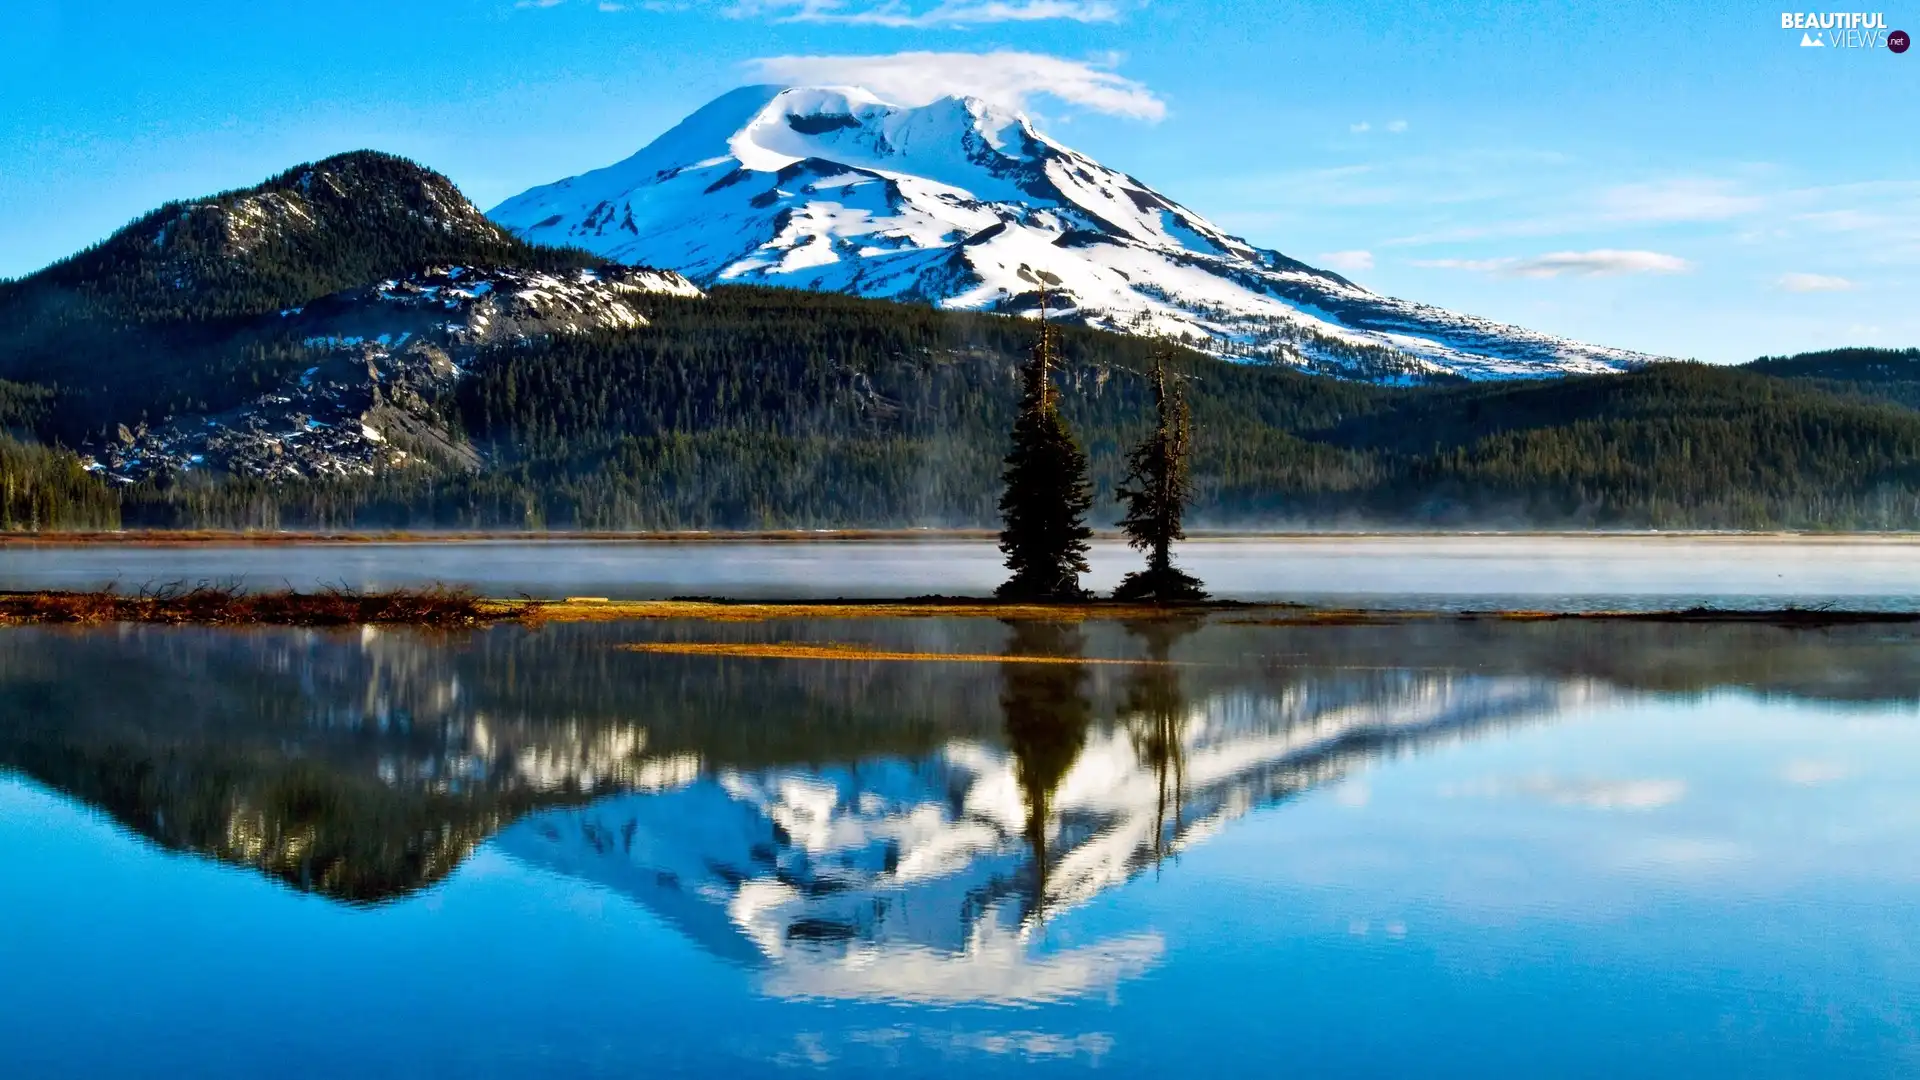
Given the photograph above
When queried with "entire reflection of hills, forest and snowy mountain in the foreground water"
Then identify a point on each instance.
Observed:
(850, 831)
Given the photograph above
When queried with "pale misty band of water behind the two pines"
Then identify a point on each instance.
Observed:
(1370, 572)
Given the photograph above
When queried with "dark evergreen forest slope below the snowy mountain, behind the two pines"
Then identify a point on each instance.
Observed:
(775, 408)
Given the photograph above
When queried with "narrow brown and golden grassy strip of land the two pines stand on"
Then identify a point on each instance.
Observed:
(443, 608)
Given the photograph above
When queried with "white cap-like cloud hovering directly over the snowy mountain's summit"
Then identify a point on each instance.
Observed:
(1005, 78)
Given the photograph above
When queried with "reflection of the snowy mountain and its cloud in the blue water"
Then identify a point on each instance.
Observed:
(926, 877)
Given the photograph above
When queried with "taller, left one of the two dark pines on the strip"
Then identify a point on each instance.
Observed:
(1047, 495)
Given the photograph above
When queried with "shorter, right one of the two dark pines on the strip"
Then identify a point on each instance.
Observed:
(1157, 493)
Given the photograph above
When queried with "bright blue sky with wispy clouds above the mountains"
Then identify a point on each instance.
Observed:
(1675, 178)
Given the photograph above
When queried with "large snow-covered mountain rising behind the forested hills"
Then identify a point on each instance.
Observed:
(961, 203)
